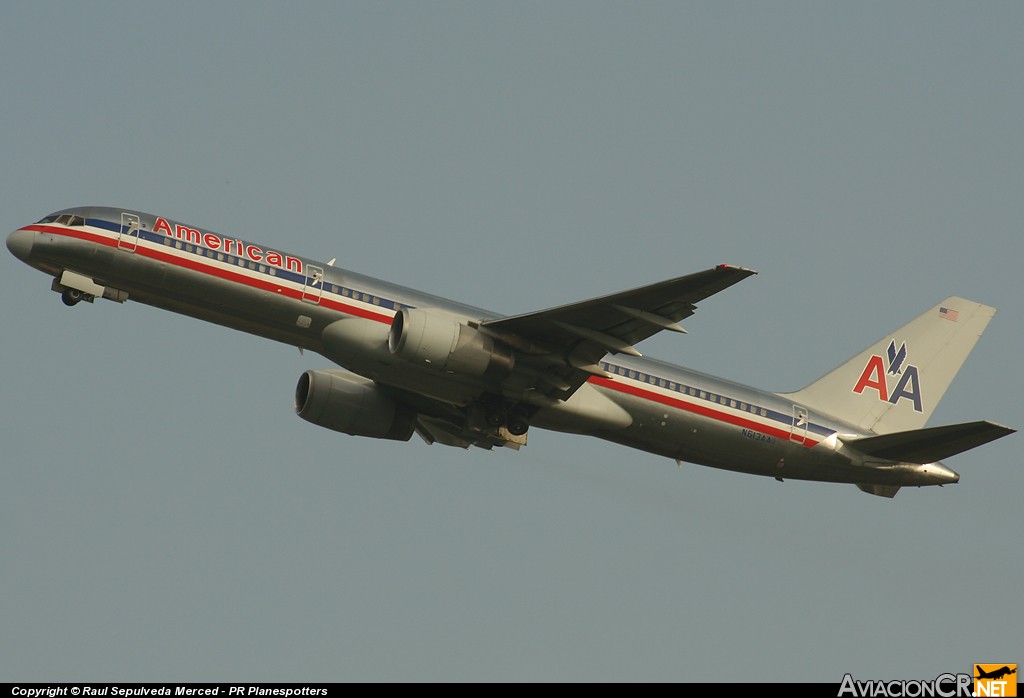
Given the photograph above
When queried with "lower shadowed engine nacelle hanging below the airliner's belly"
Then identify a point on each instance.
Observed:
(352, 405)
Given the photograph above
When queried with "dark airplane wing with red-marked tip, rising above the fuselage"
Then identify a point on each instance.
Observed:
(561, 348)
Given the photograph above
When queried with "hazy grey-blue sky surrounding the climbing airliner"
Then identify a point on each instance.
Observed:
(164, 515)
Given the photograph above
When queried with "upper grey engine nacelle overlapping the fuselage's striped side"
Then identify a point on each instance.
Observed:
(444, 343)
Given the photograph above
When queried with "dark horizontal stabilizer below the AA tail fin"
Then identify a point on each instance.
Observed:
(930, 446)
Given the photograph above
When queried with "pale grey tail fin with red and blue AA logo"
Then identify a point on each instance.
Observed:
(895, 384)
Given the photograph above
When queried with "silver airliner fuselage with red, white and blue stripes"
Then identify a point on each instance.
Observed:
(672, 411)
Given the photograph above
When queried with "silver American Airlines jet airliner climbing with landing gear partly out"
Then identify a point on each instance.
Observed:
(456, 375)
